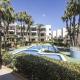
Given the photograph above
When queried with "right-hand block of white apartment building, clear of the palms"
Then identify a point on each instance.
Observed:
(40, 33)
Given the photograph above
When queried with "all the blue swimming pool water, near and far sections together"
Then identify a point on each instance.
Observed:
(34, 50)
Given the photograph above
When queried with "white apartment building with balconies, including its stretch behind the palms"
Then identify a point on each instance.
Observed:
(35, 33)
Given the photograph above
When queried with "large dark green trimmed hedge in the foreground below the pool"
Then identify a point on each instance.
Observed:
(39, 68)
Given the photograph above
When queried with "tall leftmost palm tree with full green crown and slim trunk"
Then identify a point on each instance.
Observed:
(8, 18)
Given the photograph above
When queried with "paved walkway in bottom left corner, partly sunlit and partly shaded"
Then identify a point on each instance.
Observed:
(6, 74)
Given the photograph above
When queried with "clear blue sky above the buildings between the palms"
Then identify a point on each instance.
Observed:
(47, 12)
